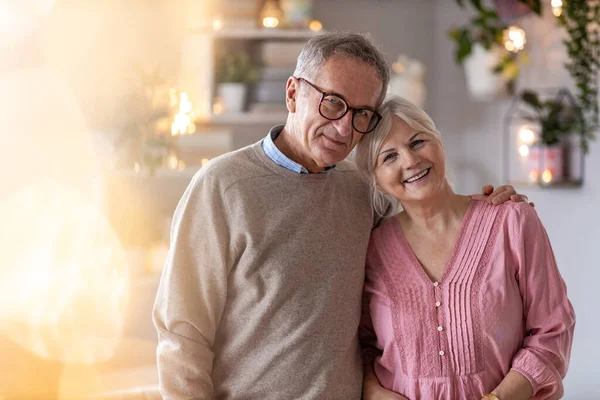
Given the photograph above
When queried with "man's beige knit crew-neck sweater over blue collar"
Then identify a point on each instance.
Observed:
(260, 297)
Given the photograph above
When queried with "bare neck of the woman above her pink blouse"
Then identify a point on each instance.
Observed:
(436, 214)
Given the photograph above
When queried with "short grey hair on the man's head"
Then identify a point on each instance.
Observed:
(346, 44)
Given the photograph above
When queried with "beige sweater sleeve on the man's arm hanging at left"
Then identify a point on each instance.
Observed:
(192, 291)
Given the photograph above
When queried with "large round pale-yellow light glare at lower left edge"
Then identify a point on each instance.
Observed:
(63, 275)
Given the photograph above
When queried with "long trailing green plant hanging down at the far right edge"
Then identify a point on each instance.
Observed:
(581, 18)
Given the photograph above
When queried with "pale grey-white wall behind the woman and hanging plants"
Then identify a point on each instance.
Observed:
(473, 137)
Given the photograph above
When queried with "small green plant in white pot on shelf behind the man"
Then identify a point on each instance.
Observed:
(234, 73)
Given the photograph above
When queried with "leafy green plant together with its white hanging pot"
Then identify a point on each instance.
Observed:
(490, 67)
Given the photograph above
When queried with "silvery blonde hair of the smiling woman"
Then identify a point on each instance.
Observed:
(370, 145)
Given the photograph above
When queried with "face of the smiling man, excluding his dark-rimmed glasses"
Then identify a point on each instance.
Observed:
(319, 142)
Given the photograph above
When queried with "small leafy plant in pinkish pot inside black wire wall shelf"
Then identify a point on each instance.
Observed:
(554, 118)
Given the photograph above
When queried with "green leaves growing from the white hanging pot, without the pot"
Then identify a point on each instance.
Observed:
(486, 28)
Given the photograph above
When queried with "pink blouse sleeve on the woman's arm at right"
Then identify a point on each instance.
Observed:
(549, 315)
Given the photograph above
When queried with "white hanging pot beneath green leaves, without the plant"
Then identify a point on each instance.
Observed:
(482, 82)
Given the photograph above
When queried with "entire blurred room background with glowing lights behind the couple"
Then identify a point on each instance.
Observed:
(109, 107)
